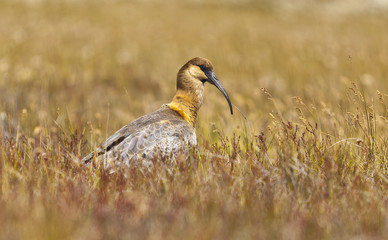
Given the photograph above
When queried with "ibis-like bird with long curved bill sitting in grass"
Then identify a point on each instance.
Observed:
(169, 130)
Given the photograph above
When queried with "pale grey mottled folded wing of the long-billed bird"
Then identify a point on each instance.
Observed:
(165, 137)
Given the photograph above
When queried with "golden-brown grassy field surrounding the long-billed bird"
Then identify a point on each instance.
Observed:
(305, 157)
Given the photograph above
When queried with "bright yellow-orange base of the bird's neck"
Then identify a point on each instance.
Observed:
(186, 106)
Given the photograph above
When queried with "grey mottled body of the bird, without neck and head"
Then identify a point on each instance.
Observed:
(162, 132)
